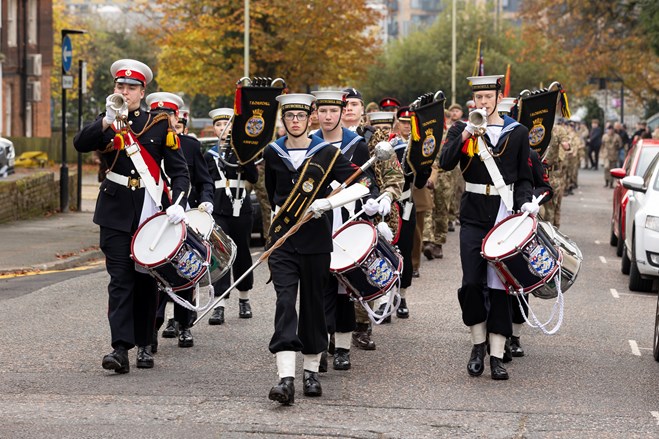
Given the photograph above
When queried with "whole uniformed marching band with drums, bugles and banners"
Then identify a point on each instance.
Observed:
(349, 200)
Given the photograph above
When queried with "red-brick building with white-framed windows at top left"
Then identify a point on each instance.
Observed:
(26, 47)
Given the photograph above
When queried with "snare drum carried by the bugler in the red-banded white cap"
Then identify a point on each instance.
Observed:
(178, 261)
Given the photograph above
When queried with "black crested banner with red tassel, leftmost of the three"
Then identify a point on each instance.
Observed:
(255, 119)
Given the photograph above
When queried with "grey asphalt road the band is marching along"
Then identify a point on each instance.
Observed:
(595, 378)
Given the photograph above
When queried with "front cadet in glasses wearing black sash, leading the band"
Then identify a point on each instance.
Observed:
(298, 170)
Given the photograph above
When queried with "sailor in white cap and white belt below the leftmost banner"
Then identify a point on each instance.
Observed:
(233, 212)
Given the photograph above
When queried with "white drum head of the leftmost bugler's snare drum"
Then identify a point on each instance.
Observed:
(170, 241)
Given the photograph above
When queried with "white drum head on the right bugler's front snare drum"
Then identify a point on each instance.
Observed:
(494, 247)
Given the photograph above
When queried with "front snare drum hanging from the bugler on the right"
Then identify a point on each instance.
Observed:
(527, 261)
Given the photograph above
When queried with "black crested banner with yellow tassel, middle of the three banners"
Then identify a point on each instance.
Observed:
(427, 131)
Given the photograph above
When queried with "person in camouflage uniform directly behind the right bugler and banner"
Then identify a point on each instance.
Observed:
(554, 160)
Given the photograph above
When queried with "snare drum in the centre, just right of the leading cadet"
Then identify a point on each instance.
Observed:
(368, 266)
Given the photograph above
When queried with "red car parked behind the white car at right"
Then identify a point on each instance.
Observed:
(637, 161)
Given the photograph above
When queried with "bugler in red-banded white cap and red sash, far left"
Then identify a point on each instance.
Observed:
(126, 199)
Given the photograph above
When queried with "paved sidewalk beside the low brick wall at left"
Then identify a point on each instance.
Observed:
(56, 242)
